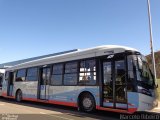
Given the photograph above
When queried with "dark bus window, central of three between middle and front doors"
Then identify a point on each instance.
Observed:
(70, 76)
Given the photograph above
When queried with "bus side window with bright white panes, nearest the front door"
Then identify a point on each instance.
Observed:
(87, 75)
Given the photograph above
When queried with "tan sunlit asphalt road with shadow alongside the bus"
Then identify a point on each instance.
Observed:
(11, 110)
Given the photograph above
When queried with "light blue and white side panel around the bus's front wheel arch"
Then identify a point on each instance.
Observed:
(70, 93)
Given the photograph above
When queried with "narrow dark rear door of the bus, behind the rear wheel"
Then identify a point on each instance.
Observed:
(10, 84)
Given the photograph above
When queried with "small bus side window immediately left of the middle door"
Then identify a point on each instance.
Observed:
(32, 74)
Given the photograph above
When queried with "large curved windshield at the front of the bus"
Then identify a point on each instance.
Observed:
(145, 76)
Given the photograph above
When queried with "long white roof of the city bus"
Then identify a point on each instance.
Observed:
(75, 55)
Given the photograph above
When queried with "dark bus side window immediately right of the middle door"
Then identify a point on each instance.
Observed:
(57, 73)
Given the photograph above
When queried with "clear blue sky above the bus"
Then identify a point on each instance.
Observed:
(30, 28)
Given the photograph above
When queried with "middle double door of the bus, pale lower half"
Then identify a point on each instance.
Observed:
(44, 83)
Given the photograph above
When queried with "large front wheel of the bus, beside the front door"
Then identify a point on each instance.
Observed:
(87, 103)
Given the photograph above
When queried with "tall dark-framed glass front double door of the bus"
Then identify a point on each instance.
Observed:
(114, 88)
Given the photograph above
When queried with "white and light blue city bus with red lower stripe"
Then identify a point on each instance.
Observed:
(110, 78)
